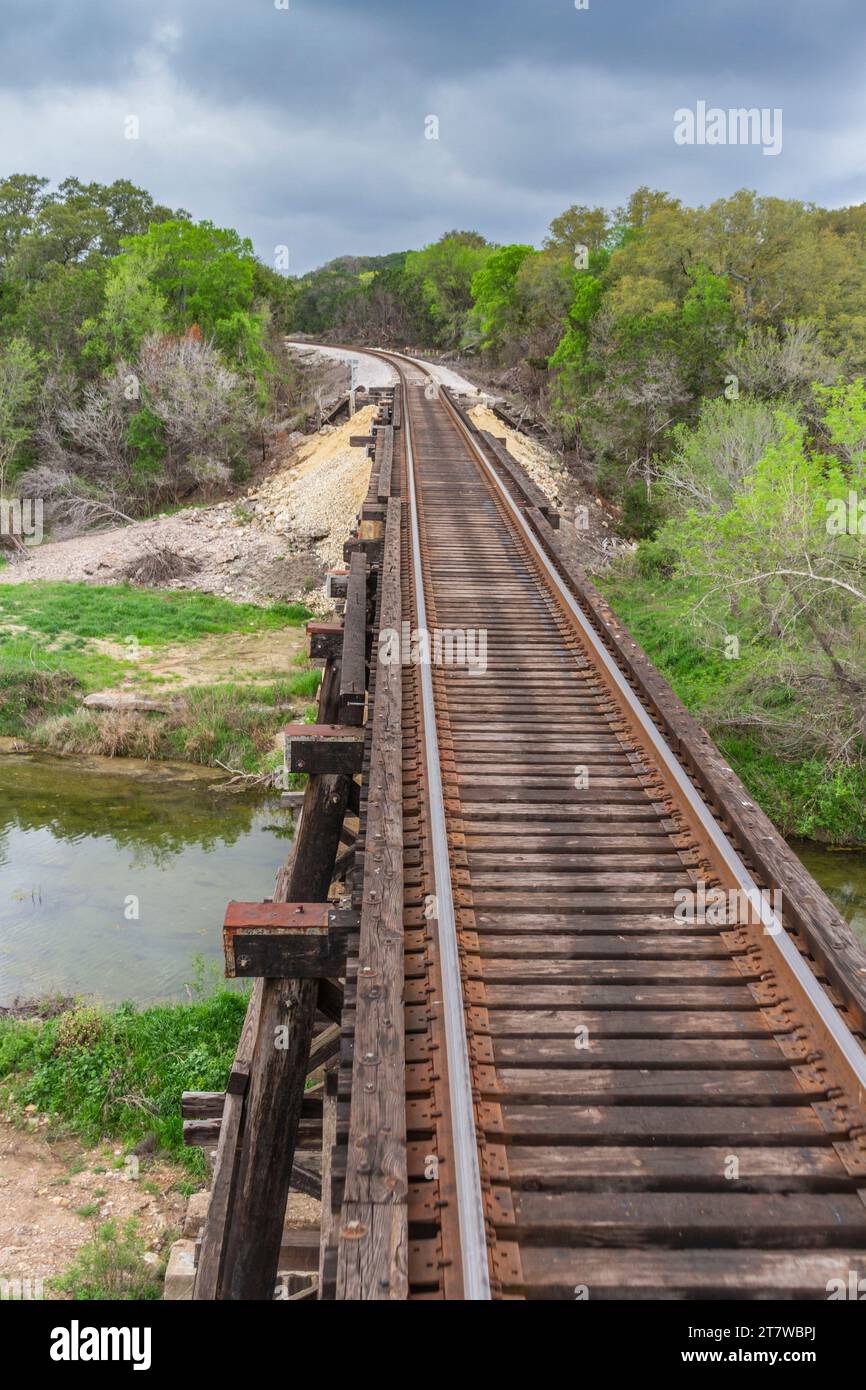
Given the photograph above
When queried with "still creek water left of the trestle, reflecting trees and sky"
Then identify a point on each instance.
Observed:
(84, 850)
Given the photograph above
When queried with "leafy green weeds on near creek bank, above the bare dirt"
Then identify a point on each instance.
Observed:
(120, 1074)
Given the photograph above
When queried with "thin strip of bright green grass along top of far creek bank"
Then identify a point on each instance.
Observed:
(152, 616)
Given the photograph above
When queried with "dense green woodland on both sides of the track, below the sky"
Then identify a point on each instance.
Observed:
(703, 369)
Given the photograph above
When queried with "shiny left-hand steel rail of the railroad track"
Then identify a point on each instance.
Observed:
(468, 1172)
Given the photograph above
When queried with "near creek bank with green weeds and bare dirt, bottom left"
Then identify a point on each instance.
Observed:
(94, 1171)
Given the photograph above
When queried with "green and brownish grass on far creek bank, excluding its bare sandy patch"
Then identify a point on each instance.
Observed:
(47, 672)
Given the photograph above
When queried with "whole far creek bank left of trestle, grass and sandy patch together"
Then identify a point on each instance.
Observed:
(151, 673)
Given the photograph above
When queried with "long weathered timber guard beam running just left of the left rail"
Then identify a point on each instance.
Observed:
(373, 1245)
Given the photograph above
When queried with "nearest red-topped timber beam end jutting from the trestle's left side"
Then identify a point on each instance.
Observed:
(286, 940)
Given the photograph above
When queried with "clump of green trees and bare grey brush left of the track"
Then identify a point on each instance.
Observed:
(99, 288)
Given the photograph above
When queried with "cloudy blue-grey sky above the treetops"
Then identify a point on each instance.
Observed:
(305, 126)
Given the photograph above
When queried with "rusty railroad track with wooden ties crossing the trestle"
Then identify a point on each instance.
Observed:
(603, 1100)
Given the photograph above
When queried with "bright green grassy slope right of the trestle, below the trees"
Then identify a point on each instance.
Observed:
(801, 796)
